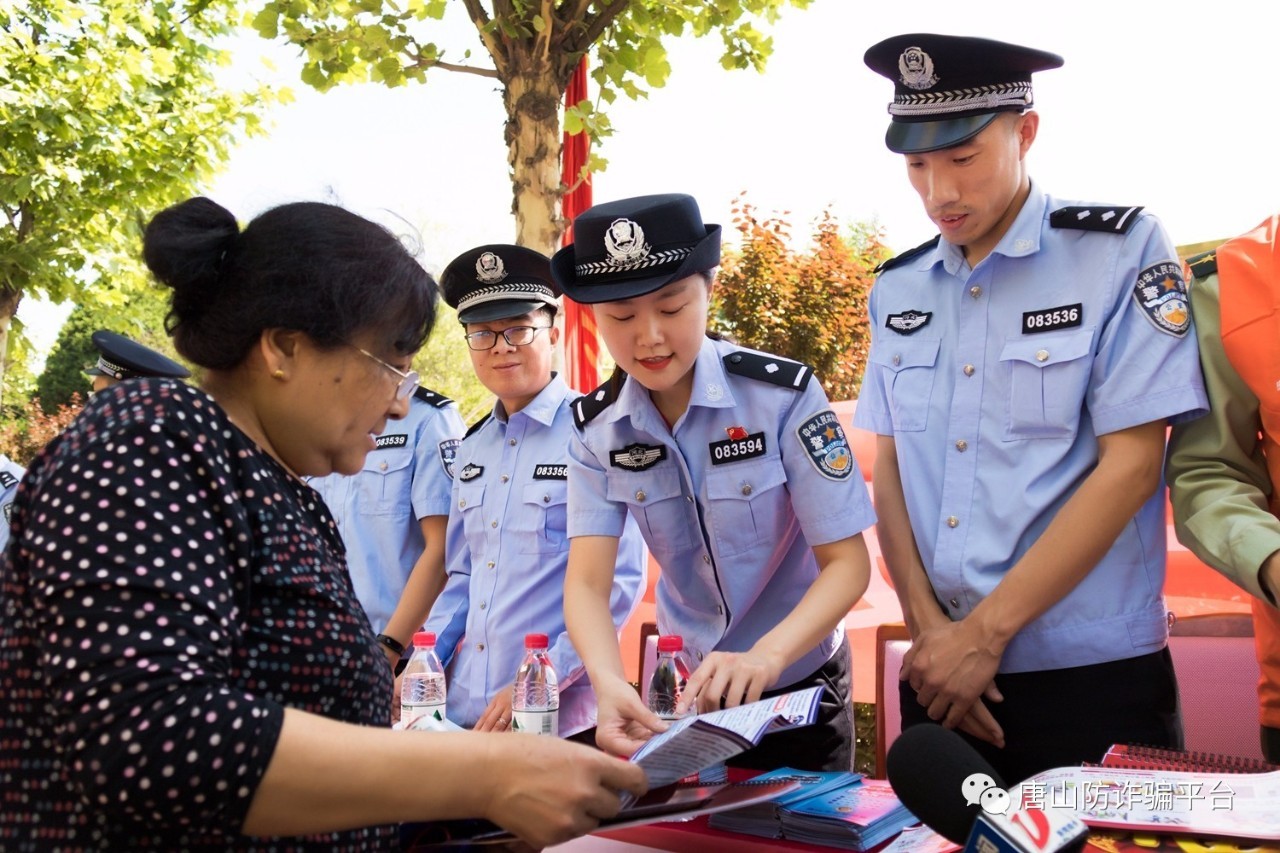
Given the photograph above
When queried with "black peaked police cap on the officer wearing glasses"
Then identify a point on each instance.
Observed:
(497, 282)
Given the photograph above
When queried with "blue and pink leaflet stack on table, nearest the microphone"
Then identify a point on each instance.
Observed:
(856, 818)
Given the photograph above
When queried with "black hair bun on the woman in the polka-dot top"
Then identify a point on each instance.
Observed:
(185, 247)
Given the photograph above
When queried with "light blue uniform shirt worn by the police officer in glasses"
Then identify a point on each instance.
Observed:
(508, 554)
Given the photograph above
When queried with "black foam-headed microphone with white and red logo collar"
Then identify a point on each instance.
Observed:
(957, 793)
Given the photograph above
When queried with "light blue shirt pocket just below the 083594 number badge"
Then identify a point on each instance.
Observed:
(748, 505)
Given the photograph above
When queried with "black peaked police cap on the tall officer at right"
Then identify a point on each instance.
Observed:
(948, 89)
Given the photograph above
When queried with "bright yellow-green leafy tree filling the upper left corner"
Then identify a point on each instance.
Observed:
(112, 110)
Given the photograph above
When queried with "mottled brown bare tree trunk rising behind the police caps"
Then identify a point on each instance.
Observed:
(533, 99)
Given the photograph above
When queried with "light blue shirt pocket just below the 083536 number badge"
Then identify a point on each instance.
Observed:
(1048, 380)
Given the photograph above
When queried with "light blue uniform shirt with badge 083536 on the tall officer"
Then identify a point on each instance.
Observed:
(995, 384)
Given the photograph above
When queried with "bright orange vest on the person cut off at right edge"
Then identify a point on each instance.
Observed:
(1249, 275)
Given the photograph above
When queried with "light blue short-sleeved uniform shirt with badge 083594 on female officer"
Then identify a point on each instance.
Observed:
(730, 501)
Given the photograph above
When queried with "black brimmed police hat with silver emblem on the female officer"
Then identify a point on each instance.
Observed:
(634, 247)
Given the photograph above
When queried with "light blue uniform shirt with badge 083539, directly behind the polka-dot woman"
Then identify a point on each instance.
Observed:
(378, 510)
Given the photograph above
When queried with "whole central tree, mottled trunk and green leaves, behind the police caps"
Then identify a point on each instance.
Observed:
(533, 49)
